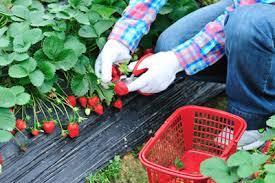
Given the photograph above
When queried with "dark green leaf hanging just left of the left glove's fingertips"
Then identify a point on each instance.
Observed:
(80, 85)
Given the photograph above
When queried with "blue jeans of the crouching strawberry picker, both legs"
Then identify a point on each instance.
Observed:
(248, 69)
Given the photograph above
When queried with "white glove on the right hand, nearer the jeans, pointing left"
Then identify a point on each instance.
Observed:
(162, 70)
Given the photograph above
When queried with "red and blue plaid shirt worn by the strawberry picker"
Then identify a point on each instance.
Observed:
(201, 51)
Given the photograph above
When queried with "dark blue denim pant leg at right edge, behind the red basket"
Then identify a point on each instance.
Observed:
(250, 86)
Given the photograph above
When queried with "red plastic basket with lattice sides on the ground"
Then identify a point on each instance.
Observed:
(192, 134)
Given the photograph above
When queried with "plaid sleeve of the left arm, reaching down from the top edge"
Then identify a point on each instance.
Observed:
(136, 22)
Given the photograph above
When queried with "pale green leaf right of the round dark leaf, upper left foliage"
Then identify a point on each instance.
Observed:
(74, 44)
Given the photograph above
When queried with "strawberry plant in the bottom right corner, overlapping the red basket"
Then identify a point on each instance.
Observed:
(243, 166)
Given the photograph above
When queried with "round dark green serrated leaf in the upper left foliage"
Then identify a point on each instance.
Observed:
(53, 46)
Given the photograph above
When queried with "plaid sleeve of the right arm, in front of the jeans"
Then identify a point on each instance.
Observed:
(204, 49)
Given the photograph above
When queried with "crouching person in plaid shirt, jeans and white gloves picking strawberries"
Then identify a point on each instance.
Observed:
(232, 41)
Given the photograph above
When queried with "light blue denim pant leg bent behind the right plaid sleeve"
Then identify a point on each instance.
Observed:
(189, 26)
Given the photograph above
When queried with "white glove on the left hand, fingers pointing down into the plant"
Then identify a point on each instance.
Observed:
(113, 52)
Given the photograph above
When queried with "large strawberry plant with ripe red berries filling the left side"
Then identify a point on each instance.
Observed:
(47, 53)
